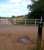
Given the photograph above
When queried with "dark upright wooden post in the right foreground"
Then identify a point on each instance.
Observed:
(39, 38)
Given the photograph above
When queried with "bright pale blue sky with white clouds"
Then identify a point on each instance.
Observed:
(14, 7)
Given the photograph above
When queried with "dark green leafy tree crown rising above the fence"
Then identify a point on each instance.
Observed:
(37, 9)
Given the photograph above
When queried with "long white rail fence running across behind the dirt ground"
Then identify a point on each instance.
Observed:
(20, 21)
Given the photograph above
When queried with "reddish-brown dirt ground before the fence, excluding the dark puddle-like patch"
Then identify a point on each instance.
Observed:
(10, 33)
